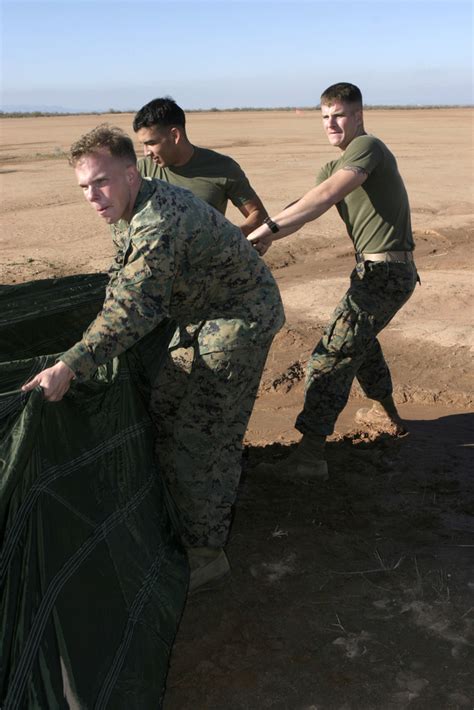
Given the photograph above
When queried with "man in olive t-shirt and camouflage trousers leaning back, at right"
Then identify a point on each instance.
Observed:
(366, 187)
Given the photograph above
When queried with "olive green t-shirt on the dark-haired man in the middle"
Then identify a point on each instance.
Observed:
(211, 176)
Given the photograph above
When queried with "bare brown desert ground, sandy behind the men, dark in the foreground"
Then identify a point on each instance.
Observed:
(356, 594)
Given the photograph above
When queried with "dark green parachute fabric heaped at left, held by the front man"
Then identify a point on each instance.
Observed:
(92, 574)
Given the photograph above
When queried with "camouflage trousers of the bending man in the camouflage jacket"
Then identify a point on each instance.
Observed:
(201, 404)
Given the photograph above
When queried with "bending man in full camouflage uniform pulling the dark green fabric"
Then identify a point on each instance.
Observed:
(180, 259)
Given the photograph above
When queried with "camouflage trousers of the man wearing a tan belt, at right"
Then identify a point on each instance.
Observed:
(349, 347)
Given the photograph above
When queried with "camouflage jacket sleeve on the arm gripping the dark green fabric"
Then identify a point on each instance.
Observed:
(137, 299)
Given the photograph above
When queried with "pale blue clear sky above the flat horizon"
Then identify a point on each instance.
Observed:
(96, 55)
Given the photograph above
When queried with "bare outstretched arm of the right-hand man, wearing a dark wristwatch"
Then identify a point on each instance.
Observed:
(311, 206)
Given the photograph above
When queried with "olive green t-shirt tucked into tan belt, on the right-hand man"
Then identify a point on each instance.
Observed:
(376, 214)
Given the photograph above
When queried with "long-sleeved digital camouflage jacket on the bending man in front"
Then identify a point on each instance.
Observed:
(179, 258)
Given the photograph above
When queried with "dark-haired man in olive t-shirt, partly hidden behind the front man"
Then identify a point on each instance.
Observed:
(215, 178)
